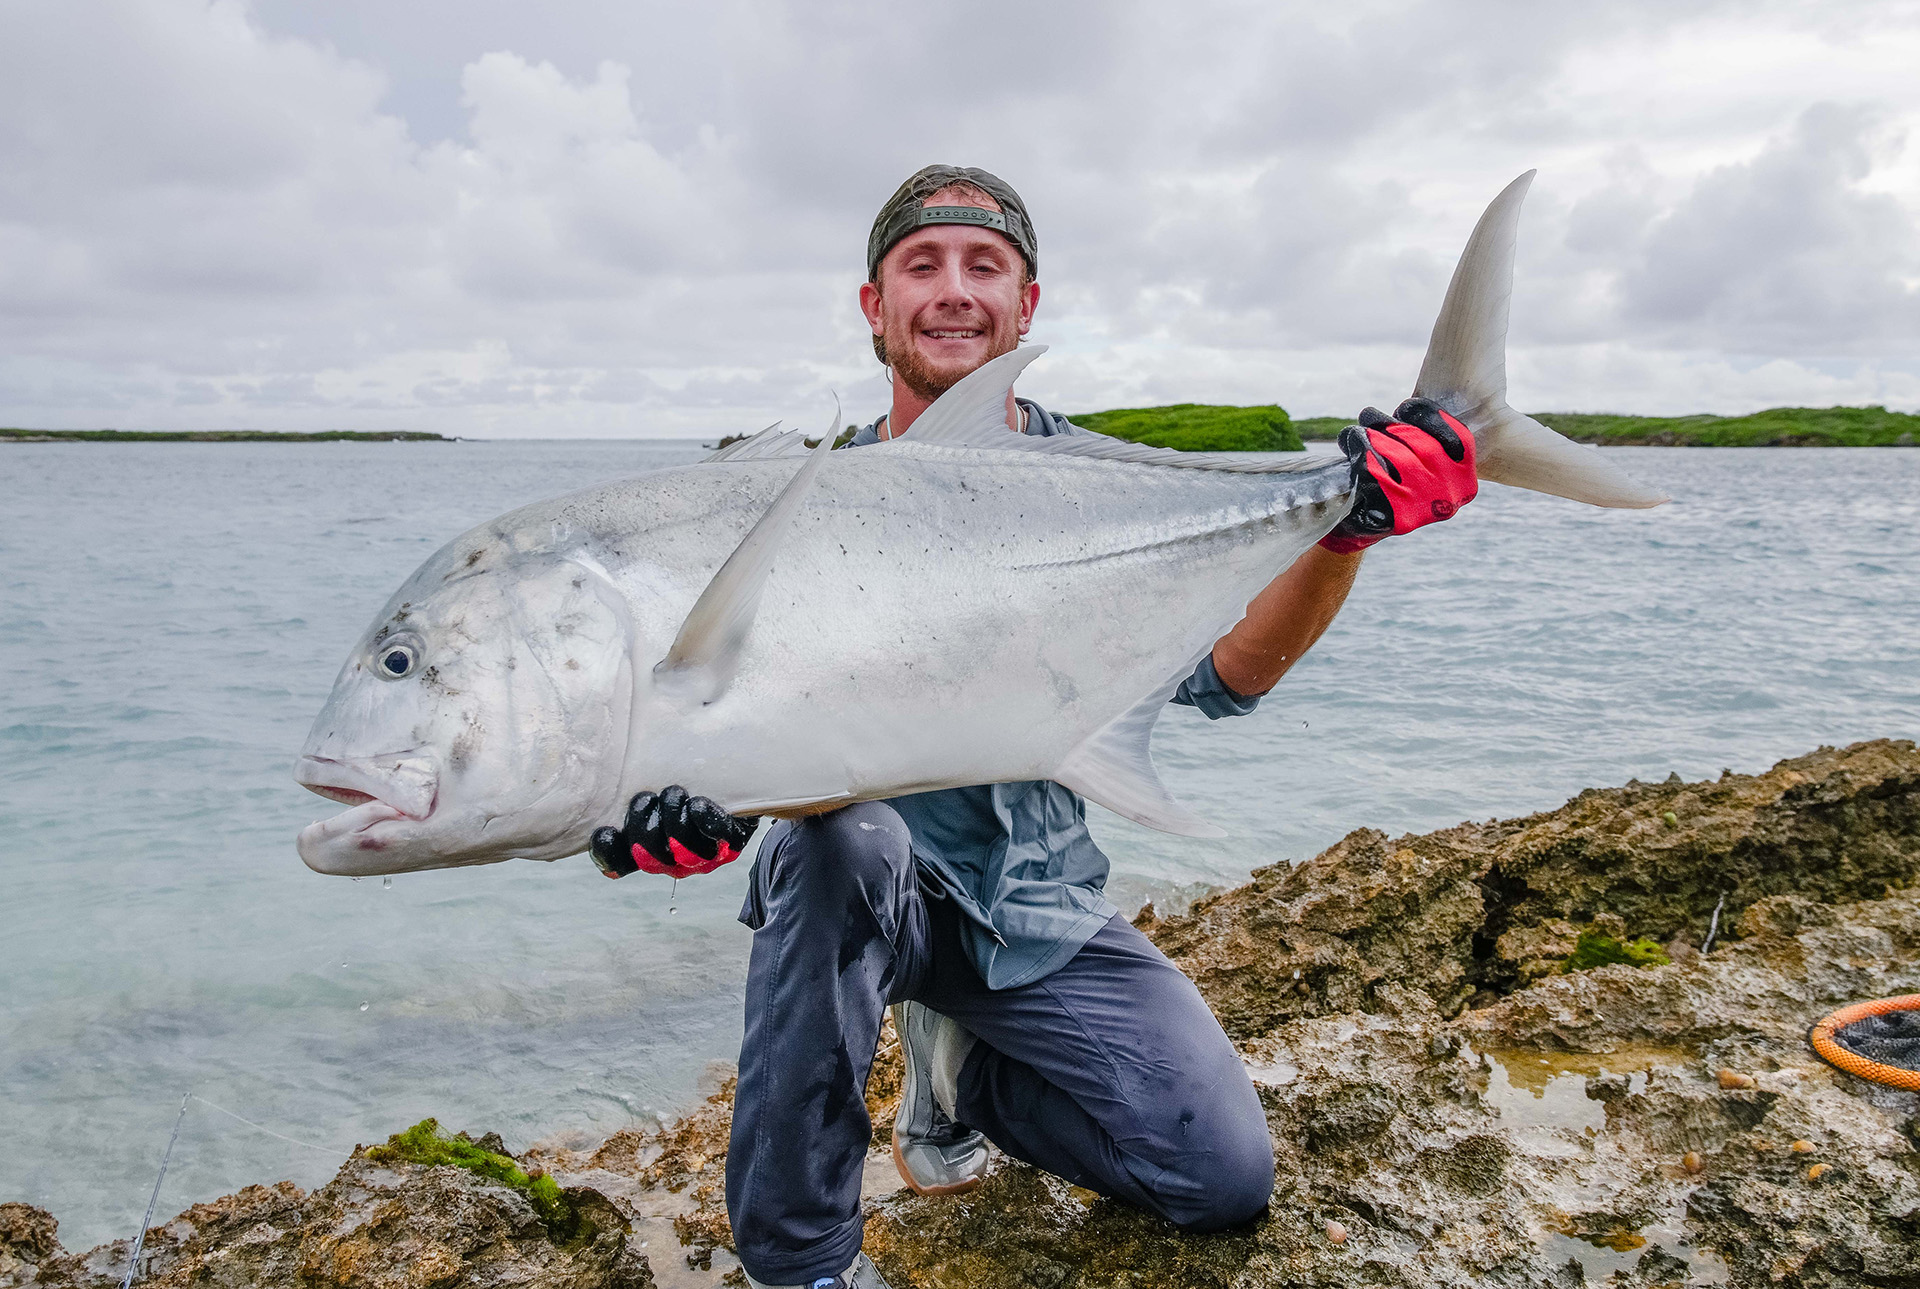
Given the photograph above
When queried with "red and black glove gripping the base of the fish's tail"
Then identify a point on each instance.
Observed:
(1410, 470)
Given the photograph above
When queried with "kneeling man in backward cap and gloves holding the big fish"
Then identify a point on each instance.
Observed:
(1030, 1013)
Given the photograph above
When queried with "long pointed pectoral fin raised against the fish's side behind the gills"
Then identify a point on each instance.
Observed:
(709, 644)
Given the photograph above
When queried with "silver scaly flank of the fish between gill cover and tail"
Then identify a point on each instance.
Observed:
(940, 616)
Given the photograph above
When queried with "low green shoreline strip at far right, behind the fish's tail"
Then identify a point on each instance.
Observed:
(1777, 427)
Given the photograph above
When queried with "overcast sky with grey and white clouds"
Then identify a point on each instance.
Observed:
(610, 218)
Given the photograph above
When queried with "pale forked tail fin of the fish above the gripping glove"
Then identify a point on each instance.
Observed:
(1466, 372)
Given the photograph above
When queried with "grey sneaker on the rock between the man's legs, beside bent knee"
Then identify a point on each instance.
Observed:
(934, 1154)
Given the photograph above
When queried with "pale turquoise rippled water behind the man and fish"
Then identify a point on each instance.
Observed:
(174, 614)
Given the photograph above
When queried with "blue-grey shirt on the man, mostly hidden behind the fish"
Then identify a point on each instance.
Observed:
(1019, 858)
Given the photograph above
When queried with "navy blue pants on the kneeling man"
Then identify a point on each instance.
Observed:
(1109, 1073)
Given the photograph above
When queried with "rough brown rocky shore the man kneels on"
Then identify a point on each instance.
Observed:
(1449, 1104)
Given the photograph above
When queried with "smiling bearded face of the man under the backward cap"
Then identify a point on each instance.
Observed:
(949, 299)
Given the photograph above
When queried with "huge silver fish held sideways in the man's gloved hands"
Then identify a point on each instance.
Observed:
(784, 629)
